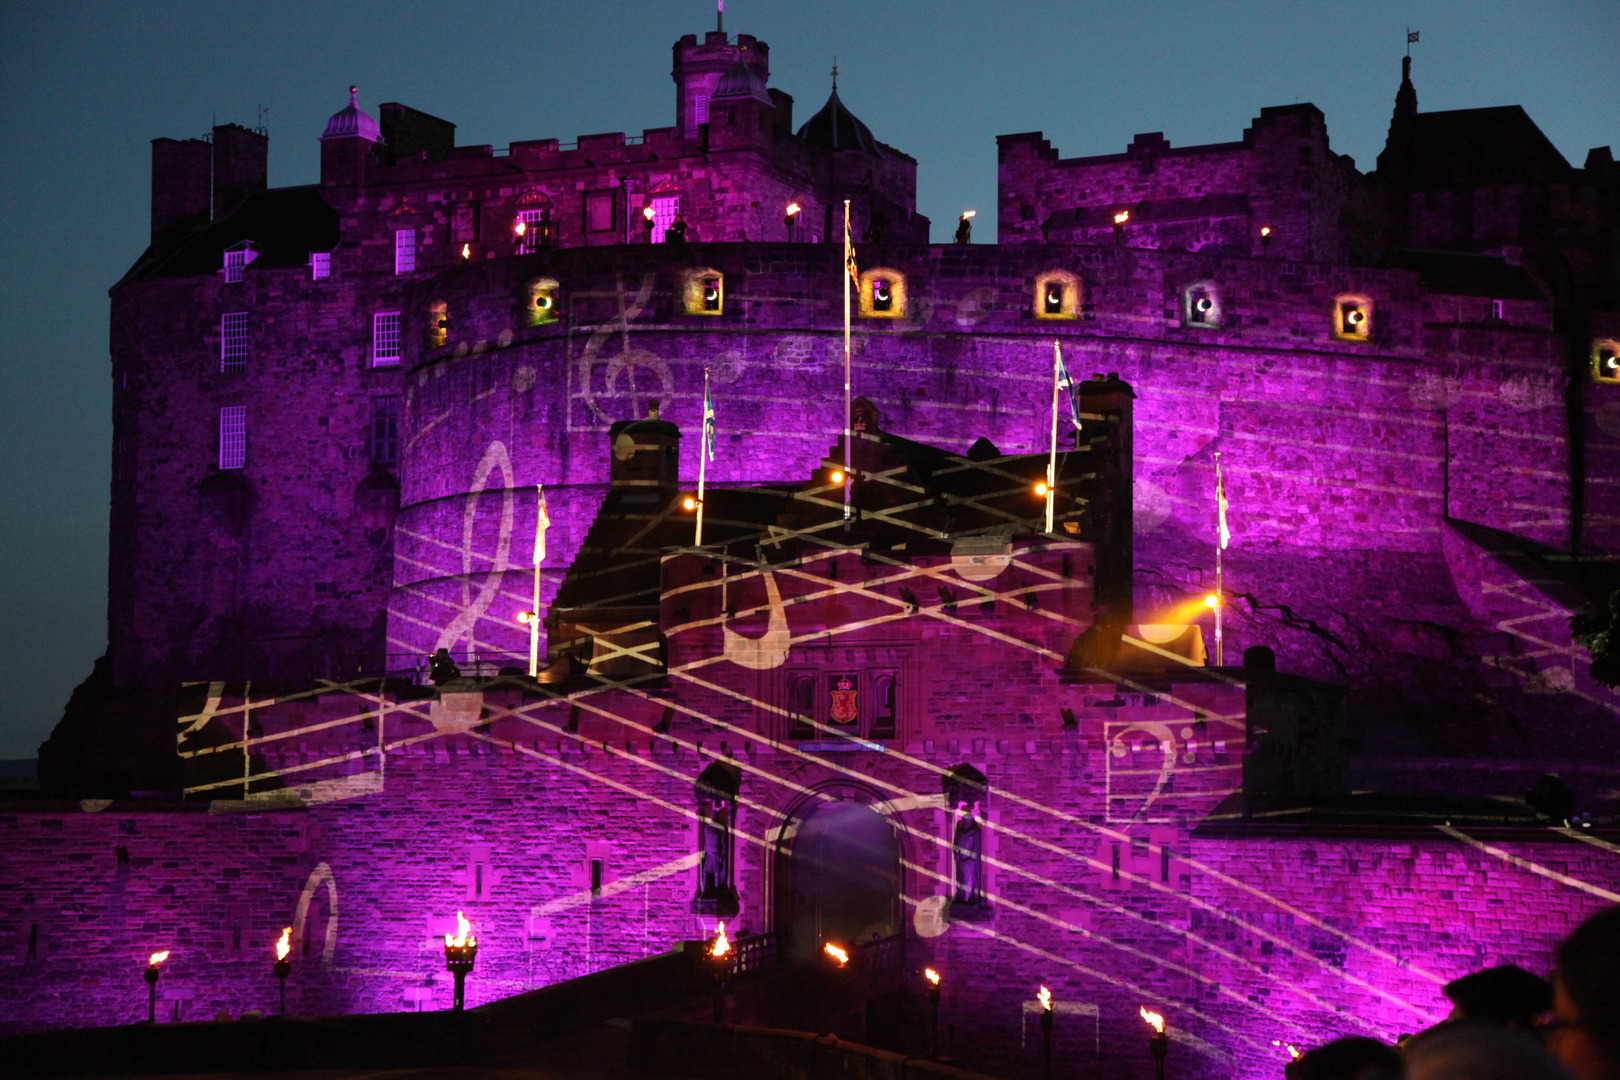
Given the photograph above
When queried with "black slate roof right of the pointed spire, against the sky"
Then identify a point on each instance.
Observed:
(1481, 147)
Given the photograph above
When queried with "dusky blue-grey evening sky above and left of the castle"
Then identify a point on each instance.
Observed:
(87, 87)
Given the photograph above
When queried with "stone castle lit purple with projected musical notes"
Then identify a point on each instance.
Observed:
(336, 404)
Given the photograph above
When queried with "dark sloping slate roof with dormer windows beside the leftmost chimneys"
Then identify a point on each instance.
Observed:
(284, 224)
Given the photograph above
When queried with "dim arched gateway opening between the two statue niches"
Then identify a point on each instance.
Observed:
(840, 880)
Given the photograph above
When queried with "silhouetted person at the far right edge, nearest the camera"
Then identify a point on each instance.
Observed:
(1585, 1032)
